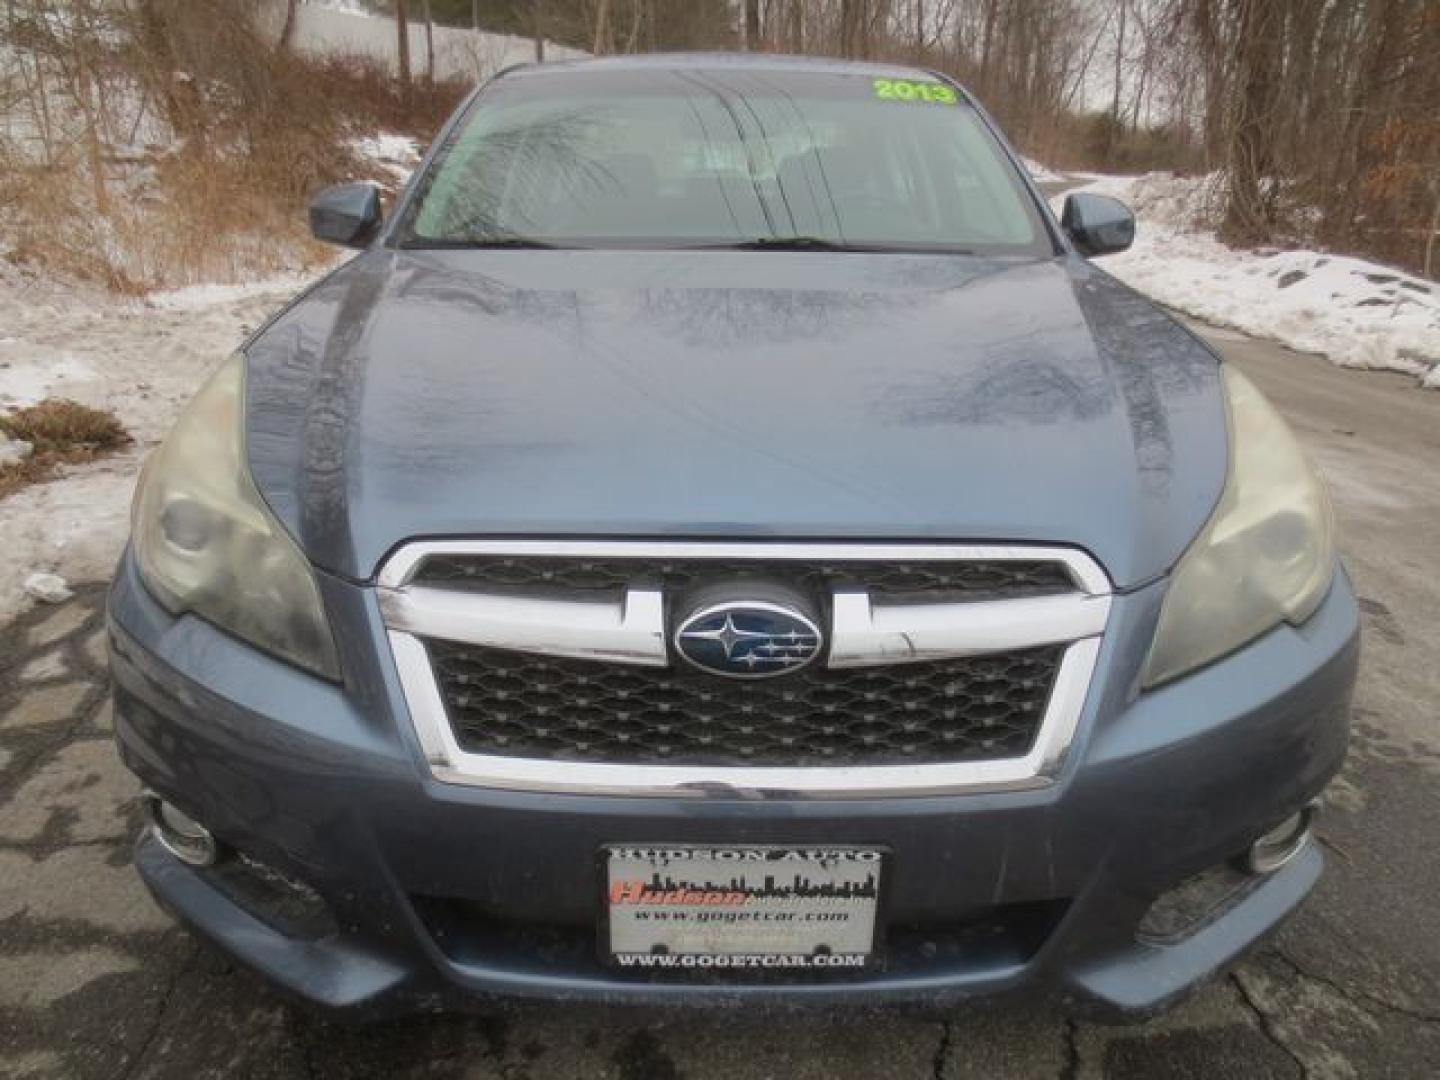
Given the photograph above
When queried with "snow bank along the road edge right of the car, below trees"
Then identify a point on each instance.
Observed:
(1353, 312)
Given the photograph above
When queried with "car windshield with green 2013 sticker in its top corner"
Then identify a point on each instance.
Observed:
(679, 159)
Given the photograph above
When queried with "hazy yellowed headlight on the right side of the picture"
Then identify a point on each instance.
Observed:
(1266, 555)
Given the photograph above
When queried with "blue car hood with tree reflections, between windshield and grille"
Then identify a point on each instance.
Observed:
(734, 395)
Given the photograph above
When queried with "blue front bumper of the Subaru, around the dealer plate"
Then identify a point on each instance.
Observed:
(437, 895)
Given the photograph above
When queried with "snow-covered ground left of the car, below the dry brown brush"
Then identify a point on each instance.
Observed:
(140, 359)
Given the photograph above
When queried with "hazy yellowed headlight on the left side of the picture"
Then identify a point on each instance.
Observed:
(207, 544)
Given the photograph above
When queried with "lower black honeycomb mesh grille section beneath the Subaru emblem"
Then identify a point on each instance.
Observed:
(958, 711)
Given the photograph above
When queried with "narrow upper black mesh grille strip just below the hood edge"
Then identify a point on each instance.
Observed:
(932, 581)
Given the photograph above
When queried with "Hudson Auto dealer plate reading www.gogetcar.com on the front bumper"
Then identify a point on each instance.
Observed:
(673, 906)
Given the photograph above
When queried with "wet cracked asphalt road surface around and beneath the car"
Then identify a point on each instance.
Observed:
(97, 983)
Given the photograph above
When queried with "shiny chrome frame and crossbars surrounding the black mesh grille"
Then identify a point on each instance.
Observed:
(633, 633)
